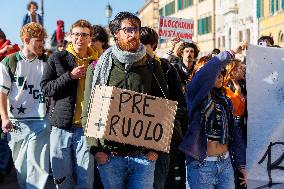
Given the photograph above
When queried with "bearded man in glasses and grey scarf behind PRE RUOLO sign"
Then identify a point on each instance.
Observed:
(125, 65)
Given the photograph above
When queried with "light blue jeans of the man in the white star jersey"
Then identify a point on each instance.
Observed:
(29, 144)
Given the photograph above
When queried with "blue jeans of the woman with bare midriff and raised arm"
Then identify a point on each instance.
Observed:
(210, 174)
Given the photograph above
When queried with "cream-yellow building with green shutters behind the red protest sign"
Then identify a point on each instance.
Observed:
(203, 14)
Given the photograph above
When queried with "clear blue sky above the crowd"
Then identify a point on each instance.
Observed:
(13, 11)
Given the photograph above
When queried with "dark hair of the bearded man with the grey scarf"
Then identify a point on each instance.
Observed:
(115, 24)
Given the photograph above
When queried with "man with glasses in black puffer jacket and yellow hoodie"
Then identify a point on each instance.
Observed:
(64, 82)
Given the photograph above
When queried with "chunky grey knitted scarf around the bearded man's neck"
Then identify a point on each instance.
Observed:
(103, 67)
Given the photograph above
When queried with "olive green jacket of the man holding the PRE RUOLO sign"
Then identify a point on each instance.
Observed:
(140, 78)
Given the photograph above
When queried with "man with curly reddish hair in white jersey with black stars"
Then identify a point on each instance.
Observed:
(23, 108)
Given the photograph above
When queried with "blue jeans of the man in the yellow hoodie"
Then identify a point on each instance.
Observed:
(70, 157)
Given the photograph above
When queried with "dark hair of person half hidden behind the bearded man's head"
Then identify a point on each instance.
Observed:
(149, 36)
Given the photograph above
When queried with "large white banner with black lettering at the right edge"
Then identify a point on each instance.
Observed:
(265, 97)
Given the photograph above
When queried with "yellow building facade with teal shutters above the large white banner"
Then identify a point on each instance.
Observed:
(271, 19)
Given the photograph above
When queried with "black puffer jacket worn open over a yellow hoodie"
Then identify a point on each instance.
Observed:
(57, 83)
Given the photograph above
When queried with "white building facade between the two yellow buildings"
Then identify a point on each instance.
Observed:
(235, 22)
